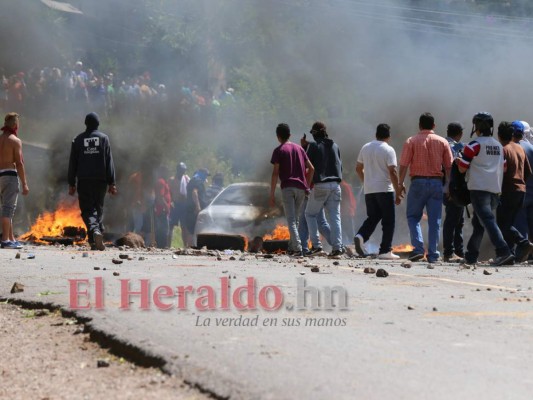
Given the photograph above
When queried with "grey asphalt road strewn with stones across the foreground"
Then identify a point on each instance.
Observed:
(419, 333)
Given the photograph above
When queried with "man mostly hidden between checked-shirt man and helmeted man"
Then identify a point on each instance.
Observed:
(452, 231)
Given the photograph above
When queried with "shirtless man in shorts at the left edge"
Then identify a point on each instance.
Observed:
(11, 169)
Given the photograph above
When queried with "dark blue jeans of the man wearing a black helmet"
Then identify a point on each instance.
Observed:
(484, 205)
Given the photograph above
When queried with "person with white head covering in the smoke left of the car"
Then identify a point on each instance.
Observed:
(178, 193)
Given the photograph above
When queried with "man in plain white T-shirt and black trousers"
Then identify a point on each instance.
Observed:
(376, 167)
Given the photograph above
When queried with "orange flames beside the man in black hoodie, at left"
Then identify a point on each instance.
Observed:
(53, 223)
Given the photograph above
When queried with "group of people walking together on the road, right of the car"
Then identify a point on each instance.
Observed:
(493, 176)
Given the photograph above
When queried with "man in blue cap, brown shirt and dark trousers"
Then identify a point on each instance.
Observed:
(517, 170)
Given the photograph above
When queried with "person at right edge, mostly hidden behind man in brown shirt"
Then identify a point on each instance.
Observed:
(524, 218)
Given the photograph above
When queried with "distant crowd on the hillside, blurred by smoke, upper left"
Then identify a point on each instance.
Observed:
(47, 91)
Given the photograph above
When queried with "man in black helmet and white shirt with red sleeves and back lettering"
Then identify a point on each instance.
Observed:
(483, 163)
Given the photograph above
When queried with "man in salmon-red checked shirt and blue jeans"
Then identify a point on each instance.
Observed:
(426, 155)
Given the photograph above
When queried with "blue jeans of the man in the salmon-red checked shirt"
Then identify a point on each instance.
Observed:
(425, 193)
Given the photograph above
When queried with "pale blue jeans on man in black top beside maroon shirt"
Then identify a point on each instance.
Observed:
(325, 195)
